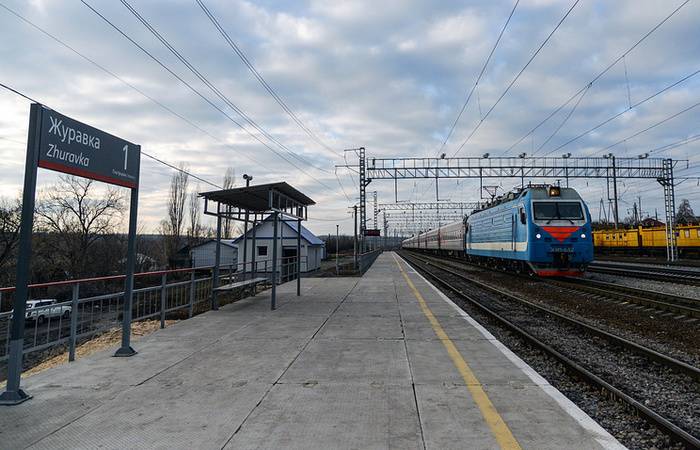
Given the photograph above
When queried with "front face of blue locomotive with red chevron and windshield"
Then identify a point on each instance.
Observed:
(561, 242)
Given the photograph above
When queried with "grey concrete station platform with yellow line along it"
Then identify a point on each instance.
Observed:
(382, 361)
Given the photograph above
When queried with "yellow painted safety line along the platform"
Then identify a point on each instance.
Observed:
(498, 427)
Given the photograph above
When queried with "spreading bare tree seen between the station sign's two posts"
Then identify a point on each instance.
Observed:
(76, 218)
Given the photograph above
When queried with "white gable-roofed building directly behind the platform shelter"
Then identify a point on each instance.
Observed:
(312, 248)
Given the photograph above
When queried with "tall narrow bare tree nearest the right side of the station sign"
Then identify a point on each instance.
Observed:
(173, 226)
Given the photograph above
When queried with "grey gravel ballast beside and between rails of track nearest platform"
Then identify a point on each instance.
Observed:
(670, 394)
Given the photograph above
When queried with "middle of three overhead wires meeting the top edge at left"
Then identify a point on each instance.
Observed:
(218, 93)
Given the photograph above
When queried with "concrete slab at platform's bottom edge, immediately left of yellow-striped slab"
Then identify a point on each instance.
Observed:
(332, 416)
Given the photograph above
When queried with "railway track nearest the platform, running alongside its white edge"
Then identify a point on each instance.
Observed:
(649, 366)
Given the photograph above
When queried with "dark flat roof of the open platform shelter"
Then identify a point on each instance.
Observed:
(261, 198)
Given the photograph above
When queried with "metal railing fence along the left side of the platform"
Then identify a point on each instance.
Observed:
(66, 312)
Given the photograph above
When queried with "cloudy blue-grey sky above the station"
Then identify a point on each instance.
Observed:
(390, 76)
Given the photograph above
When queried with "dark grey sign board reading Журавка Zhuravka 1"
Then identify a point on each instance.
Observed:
(69, 146)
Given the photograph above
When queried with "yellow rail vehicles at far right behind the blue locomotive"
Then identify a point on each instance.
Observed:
(647, 240)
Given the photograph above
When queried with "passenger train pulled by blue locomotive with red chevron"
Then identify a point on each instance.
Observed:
(545, 230)
